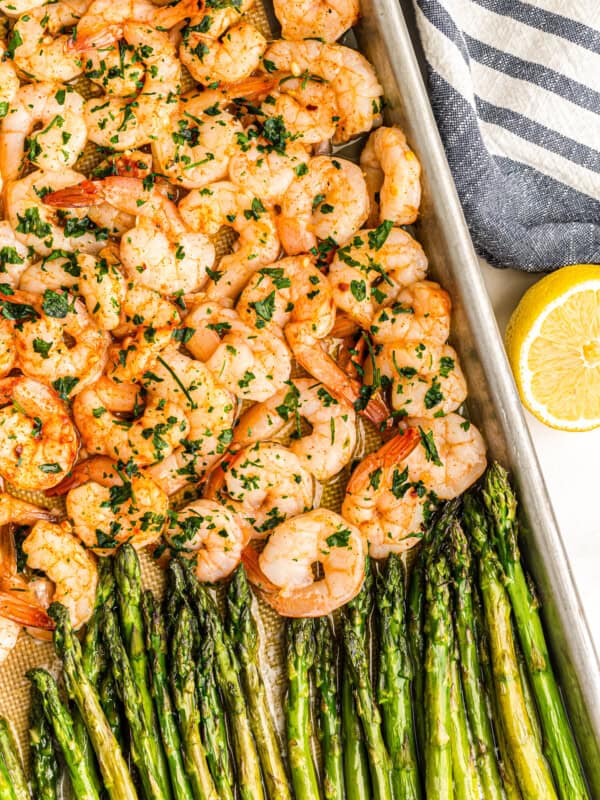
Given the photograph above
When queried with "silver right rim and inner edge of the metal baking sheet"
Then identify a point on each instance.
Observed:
(387, 37)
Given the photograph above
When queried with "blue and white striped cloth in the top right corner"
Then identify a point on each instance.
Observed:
(515, 87)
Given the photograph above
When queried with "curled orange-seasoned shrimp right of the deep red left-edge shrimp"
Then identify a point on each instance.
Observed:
(147, 438)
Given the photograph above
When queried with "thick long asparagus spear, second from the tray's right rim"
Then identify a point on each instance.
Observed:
(530, 766)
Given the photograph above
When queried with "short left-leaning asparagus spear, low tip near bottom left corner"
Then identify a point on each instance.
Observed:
(58, 717)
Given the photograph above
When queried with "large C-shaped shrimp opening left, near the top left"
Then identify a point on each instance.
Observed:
(122, 123)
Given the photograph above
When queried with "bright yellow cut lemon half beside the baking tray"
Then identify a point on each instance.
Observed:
(553, 344)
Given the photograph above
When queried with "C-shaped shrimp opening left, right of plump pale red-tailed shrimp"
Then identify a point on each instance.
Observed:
(221, 204)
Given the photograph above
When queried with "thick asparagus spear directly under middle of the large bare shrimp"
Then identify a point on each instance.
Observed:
(300, 654)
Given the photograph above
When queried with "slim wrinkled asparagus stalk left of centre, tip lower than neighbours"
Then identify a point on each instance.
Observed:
(213, 722)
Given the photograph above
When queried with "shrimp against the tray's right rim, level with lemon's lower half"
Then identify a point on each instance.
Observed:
(425, 380)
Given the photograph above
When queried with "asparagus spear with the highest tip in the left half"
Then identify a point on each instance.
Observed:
(128, 578)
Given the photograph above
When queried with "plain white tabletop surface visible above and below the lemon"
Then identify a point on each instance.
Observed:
(570, 463)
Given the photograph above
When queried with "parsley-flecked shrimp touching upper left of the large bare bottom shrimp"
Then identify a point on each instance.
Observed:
(265, 484)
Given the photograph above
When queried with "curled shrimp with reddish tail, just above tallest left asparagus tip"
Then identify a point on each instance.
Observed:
(109, 505)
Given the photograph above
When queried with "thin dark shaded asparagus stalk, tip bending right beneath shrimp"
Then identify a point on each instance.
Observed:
(416, 613)
